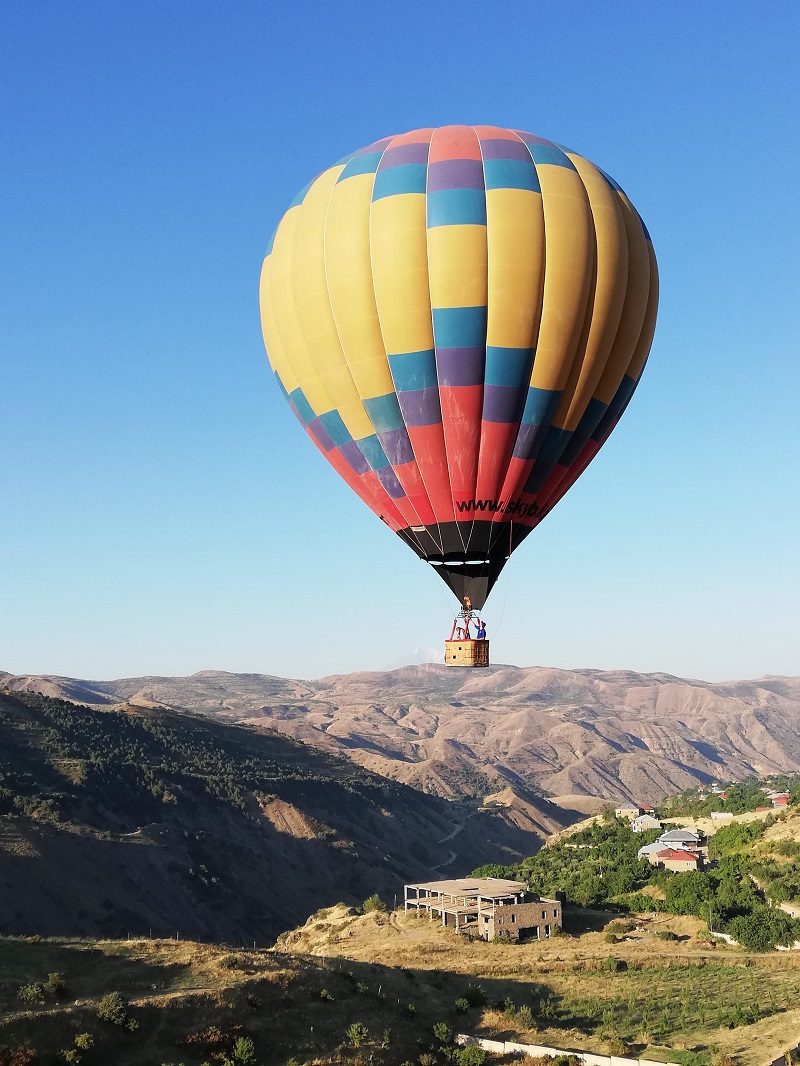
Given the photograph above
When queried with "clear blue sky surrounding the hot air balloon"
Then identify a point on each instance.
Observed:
(161, 503)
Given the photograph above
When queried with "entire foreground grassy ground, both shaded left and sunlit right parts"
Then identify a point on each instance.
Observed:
(374, 967)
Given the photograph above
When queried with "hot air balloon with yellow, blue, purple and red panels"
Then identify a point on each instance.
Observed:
(459, 318)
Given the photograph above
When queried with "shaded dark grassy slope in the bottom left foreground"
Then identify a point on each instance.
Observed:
(293, 1006)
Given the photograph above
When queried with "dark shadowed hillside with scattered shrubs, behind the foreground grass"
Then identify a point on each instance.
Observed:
(131, 820)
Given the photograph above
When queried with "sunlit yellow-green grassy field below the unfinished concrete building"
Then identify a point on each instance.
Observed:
(678, 993)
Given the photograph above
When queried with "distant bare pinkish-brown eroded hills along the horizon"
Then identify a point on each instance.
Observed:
(539, 731)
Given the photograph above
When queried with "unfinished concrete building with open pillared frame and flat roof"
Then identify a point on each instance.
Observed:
(487, 908)
